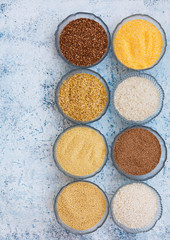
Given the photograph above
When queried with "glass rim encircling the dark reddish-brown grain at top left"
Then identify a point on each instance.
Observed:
(88, 14)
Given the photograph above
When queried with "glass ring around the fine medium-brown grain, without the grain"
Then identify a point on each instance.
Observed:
(159, 166)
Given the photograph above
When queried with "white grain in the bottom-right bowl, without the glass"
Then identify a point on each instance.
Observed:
(135, 205)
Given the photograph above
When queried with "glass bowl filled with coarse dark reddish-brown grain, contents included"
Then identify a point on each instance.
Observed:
(82, 39)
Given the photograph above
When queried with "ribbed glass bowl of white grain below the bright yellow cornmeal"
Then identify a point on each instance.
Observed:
(138, 98)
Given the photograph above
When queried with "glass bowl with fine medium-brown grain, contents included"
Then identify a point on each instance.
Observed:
(139, 153)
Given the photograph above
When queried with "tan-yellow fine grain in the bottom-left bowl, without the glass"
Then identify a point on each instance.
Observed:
(81, 205)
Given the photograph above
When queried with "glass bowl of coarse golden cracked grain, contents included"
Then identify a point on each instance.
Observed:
(82, 96)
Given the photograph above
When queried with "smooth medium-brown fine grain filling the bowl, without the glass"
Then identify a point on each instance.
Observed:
(137, 151)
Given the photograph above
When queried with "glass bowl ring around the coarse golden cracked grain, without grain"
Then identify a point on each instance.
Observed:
(71, 73)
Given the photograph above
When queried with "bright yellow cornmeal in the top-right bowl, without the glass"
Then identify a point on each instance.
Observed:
(138, 44)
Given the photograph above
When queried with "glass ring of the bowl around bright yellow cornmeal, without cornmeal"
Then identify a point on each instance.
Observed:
(149, 19)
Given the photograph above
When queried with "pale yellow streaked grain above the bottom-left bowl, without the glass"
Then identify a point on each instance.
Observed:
(81, 151)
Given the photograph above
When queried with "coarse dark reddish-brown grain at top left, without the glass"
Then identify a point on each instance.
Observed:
(83, 42)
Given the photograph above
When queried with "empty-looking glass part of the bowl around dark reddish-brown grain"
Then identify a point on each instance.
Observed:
(74, 17)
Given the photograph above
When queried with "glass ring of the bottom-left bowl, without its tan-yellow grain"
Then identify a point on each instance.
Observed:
(81, 232)
